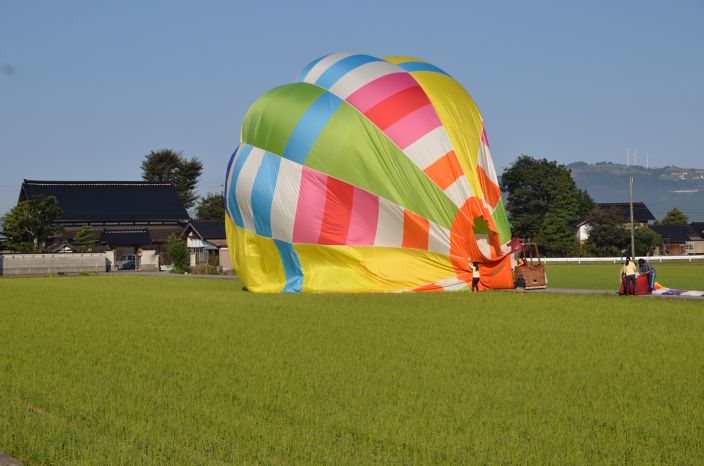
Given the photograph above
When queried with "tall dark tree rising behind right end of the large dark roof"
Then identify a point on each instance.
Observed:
(168, 166)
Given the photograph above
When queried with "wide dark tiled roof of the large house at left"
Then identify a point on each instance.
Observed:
(105, 201)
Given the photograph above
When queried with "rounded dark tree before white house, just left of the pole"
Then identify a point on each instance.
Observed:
(607, 235)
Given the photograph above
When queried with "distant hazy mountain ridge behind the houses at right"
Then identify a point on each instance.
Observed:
(659, 188)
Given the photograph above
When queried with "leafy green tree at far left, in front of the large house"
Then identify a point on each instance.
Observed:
(31, 223)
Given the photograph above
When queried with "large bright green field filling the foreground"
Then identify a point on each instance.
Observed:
(144, 370)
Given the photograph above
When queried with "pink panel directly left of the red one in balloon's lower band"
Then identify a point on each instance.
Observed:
(311, 206)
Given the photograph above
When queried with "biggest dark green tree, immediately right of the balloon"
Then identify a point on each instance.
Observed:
(544, 203)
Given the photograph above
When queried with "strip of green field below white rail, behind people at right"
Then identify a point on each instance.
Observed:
(605, 276)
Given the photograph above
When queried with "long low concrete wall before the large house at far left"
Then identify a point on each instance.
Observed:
(42, 264)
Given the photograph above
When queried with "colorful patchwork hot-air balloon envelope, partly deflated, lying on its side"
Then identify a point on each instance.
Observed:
(366, 175)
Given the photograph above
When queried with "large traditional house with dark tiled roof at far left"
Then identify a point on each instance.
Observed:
(128, 216)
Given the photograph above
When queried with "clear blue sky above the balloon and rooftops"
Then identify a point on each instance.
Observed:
(87, 88)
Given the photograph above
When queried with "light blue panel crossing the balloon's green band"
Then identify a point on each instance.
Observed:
(310, 126)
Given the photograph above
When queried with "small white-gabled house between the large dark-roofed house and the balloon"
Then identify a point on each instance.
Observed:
(207, 243)
